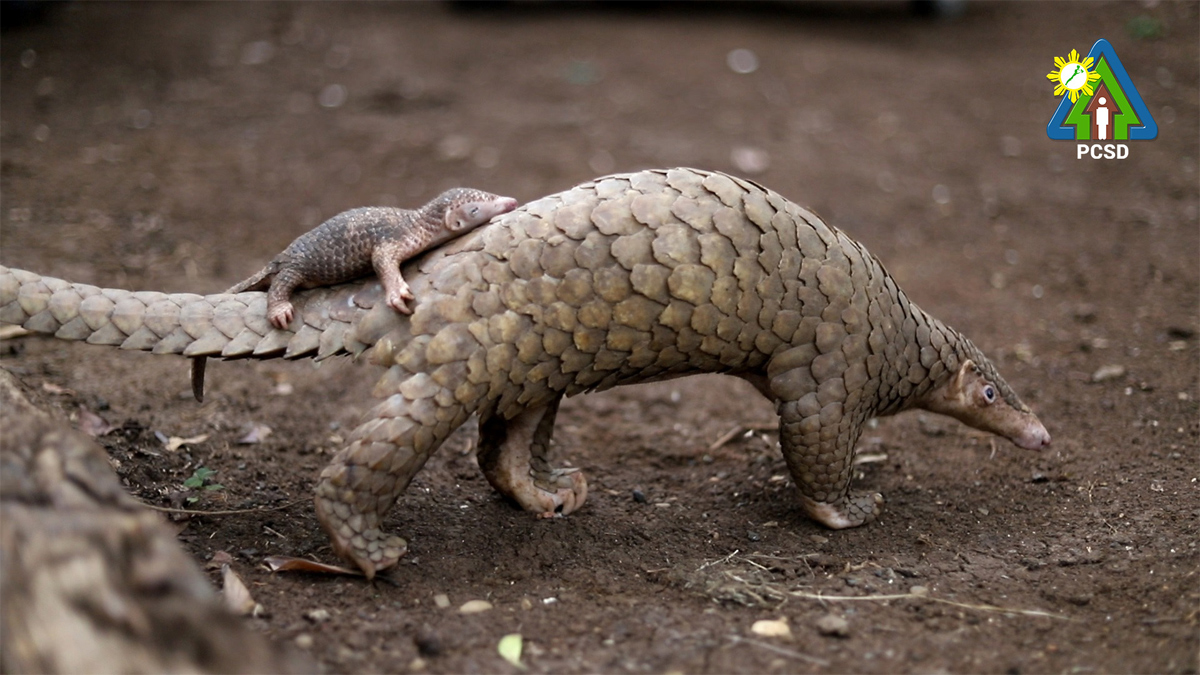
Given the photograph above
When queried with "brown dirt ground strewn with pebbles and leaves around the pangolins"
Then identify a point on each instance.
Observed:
(178, 147)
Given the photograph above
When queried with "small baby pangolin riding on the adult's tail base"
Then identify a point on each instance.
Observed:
(355, 243)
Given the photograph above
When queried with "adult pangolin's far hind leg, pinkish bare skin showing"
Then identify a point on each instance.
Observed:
(514, 456)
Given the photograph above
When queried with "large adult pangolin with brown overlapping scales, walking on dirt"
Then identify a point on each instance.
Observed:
(621, 280)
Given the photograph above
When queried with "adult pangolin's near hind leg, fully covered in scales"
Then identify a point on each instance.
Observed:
(383, 456)
